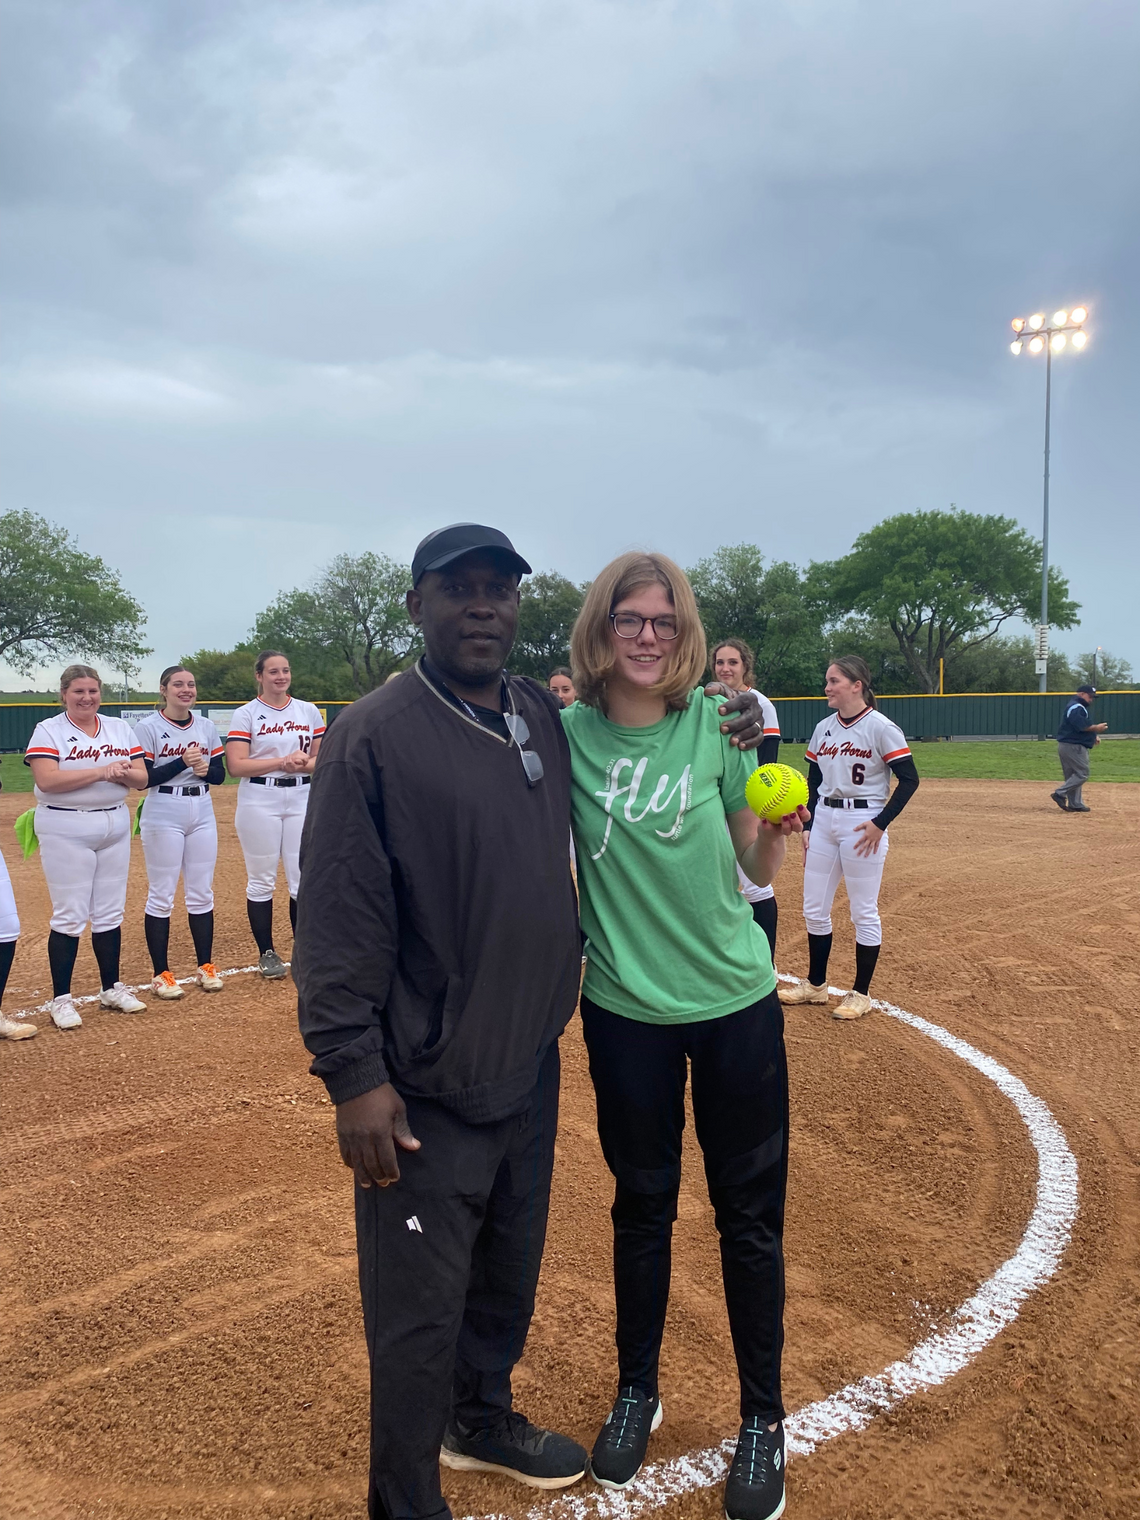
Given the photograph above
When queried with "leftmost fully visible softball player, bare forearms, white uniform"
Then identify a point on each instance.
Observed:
(84, 767)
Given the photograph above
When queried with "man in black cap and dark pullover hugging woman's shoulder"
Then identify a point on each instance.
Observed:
(439, 961)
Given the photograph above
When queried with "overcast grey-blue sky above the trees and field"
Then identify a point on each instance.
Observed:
(293, 279)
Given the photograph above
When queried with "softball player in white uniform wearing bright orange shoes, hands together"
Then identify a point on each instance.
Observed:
(183, 755)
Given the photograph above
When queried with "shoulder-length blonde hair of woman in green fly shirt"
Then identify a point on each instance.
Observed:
(592, 654)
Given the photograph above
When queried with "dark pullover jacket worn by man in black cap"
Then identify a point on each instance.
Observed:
(437, 942)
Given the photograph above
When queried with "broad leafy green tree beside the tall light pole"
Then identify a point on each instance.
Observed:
(945, 583)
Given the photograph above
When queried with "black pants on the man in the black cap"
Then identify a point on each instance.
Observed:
(449, 1264)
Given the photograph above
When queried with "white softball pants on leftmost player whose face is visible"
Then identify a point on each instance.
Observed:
(86, 858)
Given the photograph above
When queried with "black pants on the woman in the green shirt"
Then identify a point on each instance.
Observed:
(741, 1110)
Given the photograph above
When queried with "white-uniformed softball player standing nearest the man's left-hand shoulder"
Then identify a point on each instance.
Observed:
(273, 747)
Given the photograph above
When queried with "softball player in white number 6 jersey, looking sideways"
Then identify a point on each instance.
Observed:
(850, 761)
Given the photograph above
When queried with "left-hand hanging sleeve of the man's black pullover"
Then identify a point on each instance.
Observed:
(346, 946)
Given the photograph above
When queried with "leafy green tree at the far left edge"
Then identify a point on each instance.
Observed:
(57, 603)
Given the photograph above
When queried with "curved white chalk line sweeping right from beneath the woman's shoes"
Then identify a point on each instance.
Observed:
(934, 1361)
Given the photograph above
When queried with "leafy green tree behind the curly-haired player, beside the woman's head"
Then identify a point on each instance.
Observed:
(770, 609)
